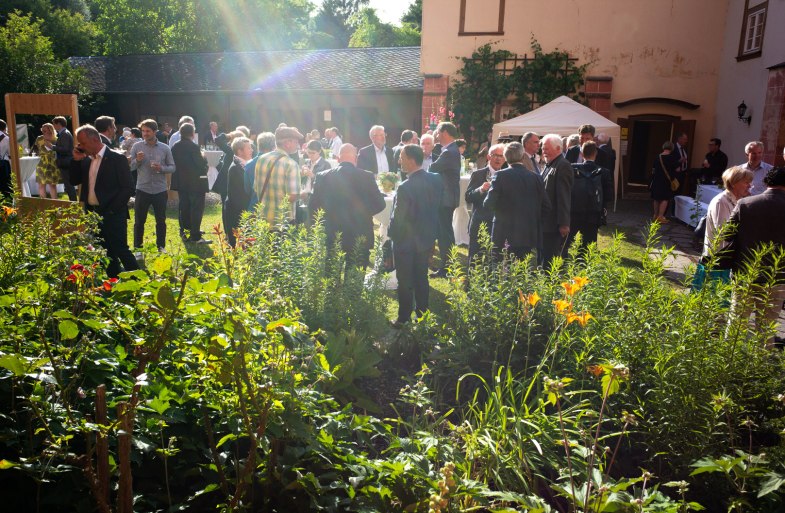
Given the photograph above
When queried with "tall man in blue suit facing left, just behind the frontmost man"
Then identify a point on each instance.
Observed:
(448, 166)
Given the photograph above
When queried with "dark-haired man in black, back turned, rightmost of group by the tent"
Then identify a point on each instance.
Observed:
(587, 209)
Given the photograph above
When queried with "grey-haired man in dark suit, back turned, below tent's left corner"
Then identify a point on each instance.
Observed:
(517, 199)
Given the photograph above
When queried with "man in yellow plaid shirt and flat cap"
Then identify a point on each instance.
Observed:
(277, 176)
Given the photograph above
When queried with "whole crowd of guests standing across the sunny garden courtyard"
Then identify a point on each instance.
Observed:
(532, 196)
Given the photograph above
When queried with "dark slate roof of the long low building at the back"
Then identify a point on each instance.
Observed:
(287, 70)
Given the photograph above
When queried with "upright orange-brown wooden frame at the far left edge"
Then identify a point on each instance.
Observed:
(46, 104)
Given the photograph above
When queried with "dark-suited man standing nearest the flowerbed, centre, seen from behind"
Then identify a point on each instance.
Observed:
(413, 227)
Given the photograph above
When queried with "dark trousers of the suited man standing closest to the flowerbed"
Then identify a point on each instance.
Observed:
(411, 268)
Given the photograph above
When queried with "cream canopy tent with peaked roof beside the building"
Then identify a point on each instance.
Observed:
(563, 116)
